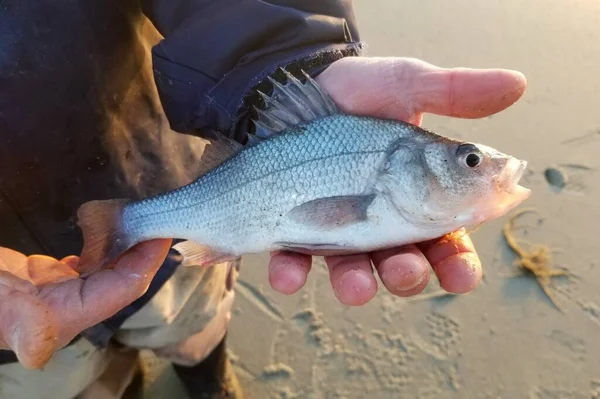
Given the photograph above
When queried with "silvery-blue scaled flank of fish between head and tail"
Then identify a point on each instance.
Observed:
(334, 157)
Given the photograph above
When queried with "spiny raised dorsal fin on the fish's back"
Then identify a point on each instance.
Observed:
(291, 104)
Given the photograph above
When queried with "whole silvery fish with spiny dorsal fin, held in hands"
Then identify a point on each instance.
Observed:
(314, 180)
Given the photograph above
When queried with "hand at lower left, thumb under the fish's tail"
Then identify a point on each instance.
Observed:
(44, 304)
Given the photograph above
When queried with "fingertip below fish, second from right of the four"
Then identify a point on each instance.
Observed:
(403, 271)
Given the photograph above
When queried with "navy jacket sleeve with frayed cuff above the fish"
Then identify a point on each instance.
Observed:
(215, 53)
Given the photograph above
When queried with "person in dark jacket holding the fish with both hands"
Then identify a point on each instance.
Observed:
(114, 99)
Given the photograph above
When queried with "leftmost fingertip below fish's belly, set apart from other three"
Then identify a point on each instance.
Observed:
(288, 271)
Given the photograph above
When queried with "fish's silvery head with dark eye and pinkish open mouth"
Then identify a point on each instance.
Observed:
(455, 184)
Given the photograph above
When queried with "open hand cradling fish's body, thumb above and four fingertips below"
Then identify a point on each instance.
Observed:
(403, 89)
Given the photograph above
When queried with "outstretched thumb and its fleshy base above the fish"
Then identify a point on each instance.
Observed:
(399, 88)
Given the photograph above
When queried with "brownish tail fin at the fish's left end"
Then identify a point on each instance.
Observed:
(103, 235)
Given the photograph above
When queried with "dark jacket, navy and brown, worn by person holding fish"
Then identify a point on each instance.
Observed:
(82, 98)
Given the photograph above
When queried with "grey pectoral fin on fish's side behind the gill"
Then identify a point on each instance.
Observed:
(333, 212)
